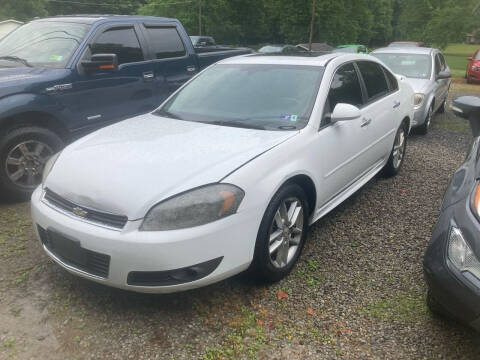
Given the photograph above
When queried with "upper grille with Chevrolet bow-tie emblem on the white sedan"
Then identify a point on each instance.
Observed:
(102, 218)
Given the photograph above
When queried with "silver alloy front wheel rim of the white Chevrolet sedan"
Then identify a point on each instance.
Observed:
(286, 232)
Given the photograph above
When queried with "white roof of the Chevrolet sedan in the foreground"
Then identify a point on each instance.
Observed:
(310, 59)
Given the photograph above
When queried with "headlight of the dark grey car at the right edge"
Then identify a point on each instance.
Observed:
(460, 254)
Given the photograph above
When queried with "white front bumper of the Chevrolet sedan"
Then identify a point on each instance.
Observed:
(225, 246)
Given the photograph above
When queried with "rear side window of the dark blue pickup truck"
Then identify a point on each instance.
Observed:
(166, 42)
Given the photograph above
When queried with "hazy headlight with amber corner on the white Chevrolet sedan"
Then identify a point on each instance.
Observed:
(194, 208)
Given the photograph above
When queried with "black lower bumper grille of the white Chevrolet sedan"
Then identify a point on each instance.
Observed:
(83, 259)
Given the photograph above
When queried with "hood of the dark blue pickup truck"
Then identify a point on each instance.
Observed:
(22, 79)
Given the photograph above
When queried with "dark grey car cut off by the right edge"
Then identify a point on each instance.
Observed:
(451, 263)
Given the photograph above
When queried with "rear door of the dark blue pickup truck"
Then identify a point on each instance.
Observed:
(173, 65)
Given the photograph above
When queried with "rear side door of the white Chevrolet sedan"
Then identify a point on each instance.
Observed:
(381, 111)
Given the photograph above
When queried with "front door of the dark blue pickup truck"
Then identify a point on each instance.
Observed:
(101, 98)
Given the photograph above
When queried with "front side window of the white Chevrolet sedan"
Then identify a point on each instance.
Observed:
(345, 88)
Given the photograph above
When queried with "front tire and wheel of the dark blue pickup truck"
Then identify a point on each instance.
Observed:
(23, 154)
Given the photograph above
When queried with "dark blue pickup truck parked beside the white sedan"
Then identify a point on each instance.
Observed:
(62, 77)
